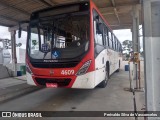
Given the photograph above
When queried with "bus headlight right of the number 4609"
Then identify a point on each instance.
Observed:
(84, 68)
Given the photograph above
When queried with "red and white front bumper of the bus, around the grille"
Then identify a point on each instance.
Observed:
(85, 81)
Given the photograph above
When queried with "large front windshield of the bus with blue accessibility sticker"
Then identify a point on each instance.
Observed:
(62, 36)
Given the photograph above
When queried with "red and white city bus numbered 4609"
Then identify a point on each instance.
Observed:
(71, 46)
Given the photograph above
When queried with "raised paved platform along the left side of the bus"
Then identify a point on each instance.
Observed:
(14, 87)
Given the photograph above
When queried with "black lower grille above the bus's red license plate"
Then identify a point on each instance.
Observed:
(61, 82)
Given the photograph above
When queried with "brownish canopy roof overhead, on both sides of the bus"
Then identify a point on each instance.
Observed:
(117, 12)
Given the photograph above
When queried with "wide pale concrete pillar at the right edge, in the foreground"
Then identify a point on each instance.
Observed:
(151, 9)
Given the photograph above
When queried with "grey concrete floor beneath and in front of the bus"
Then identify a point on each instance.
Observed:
(112, 98)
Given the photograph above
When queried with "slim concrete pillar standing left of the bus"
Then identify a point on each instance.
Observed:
(13, 49)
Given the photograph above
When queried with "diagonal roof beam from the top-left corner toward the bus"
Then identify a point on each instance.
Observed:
(14, 8)
